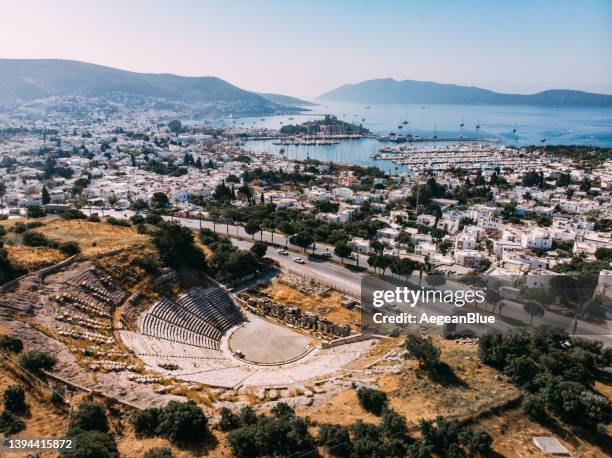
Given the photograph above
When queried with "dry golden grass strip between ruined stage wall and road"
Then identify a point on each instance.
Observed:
(329, 307)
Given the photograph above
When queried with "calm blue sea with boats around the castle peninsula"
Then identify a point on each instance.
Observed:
(510, 125)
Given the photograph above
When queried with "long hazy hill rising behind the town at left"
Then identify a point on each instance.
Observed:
(23, 80)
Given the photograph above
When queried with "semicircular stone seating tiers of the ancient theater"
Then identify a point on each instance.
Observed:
(186, 334)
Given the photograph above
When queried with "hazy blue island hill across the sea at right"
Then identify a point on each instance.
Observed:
(424, 92)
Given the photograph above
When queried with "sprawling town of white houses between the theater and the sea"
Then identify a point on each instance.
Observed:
(534, 211)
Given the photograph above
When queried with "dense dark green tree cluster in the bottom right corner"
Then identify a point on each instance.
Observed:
(558, 371)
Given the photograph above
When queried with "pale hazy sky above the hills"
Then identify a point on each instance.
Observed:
(304, 48)
